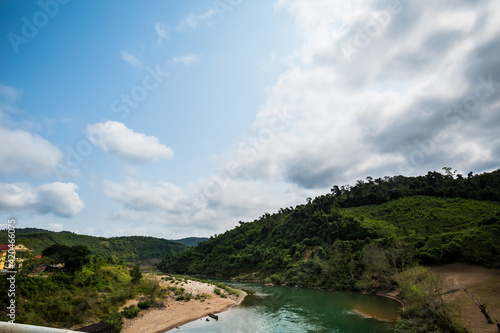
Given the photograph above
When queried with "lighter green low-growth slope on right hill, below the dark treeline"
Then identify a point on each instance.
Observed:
(442, 230)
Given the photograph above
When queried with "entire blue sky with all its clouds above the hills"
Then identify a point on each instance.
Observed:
(181, 118)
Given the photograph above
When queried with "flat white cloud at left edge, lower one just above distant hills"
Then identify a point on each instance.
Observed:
(57, 198)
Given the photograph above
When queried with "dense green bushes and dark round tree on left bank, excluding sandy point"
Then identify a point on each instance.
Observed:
(92, 290)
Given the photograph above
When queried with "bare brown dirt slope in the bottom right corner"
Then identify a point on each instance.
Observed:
(483, 284)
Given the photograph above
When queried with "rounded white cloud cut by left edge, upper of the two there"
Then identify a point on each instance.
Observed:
(26, 153)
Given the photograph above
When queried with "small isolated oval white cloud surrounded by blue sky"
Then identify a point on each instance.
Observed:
(114, 137)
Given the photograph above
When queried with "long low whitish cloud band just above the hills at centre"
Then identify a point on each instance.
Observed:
(207, 207)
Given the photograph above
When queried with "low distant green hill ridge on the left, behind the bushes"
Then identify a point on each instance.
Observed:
(128, 248)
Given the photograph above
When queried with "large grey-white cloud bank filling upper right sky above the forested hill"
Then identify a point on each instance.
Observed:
(378, 90)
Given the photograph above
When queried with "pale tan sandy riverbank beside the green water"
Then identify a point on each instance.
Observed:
(177, 313)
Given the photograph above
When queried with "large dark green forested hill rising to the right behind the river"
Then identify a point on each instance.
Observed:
(333, 242)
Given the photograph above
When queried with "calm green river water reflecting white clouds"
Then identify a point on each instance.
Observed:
(277, 309)
